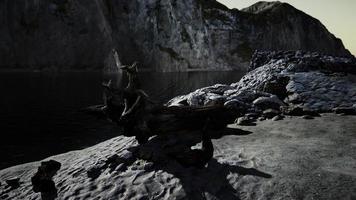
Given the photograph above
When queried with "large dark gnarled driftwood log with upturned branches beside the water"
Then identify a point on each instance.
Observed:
(133, 110)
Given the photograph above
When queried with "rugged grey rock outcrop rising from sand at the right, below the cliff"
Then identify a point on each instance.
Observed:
(290, 83)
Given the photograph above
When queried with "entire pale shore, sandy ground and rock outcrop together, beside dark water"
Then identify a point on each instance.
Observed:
(293, 158)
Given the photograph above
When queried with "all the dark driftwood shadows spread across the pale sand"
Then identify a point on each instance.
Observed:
(213, 182)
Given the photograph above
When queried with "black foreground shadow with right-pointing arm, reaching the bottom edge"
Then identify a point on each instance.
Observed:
(211, 182)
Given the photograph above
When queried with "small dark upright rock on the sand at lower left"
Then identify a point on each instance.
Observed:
(42, 180)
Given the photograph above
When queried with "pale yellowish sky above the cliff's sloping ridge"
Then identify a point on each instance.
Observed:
(339, 16)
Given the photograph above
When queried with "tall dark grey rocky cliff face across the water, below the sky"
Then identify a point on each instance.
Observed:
(169, 35)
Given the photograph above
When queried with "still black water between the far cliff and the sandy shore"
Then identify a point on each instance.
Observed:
(39, 111)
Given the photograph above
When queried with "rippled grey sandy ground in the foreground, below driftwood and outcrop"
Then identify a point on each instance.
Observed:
(290, 159)
